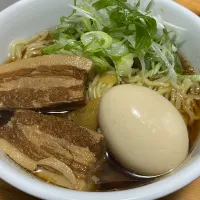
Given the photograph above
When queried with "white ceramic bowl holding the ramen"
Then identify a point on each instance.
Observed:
(27, 17)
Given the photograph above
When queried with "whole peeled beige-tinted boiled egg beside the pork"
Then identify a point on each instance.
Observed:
(144, 132)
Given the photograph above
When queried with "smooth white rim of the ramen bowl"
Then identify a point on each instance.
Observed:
(155, 190)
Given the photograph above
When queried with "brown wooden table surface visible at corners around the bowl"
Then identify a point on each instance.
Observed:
(191, 192)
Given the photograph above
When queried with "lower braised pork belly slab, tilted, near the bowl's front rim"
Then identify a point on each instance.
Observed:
(54, 149)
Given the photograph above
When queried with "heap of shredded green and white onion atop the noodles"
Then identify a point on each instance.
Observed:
(115, 33)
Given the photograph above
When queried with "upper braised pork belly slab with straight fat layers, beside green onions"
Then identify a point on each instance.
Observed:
(44, 81)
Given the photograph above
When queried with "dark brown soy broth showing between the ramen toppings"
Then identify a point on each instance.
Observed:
(111, 176)
